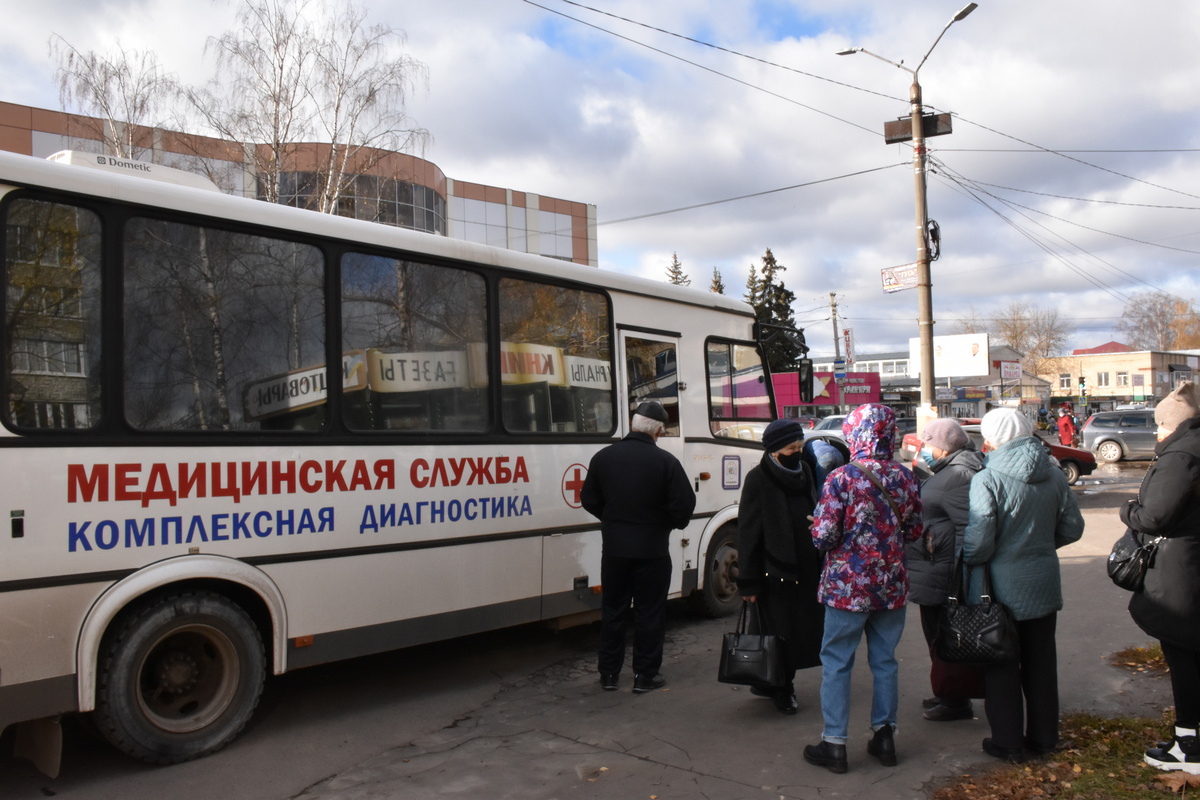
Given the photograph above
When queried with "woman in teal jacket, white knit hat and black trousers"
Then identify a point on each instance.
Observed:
(1022, 513)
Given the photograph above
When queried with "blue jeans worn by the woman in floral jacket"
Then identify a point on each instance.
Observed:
(844, 631)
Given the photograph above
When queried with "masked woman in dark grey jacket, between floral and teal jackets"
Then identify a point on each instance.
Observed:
(945, 500)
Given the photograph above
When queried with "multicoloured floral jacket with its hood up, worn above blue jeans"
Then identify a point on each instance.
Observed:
(856, 526)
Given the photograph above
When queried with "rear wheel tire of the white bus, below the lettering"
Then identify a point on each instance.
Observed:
(179, 677)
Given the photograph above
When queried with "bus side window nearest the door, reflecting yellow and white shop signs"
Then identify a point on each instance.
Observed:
(556, 359)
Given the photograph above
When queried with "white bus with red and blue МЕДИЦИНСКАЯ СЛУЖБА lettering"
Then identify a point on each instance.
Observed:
(242, 438)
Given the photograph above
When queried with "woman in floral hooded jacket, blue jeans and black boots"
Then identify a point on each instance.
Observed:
(868, 510)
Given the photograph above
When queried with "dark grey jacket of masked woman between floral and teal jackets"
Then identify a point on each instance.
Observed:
(946, 502)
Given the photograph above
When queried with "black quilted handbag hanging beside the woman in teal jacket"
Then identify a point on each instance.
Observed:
(983, 634)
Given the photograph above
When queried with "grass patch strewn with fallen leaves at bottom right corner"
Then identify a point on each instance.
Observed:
(1102, 762)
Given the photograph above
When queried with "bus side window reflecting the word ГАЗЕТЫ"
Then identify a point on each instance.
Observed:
(415, 346)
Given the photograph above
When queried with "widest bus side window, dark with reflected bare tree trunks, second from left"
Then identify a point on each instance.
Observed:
(224, 332)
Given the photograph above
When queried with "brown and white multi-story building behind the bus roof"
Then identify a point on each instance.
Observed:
(393, 188)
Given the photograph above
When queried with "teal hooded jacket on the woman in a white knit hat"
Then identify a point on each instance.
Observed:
(1022, 513)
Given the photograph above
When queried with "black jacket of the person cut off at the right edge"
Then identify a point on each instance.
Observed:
(1168, 506)
